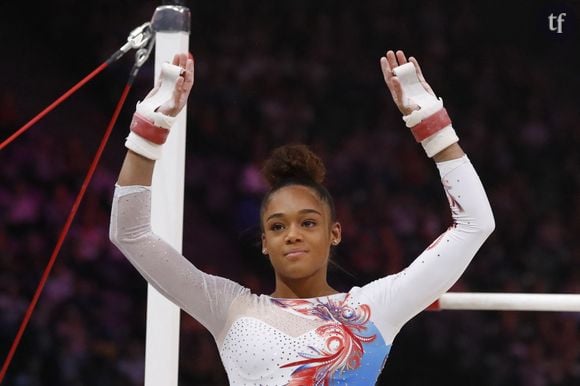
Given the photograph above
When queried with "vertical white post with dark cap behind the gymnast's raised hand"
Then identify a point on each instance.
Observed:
(167, 193)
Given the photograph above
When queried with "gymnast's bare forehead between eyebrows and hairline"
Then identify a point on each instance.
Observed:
(293, 198)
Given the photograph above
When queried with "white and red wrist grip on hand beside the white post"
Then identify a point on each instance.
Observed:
(149, 128)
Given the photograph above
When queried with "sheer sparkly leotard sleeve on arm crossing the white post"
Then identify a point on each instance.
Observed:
(205, 297)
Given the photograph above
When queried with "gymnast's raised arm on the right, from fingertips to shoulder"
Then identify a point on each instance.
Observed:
(431, 274)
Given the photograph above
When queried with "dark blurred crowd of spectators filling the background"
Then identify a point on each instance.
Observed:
(269, 73)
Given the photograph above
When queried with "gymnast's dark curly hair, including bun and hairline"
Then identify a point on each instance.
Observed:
(296, 165)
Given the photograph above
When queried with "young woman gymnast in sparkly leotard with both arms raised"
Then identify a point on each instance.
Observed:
(305, 332)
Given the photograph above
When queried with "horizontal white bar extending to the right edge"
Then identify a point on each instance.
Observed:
(509, 302)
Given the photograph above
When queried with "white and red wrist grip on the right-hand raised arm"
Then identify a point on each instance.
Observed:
(430, 124)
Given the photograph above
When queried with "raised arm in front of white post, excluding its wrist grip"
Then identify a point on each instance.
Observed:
(205, 297)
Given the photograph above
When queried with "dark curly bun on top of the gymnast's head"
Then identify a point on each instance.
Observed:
(293, 162)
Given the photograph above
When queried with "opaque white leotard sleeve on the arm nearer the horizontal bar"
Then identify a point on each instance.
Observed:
(401, 296)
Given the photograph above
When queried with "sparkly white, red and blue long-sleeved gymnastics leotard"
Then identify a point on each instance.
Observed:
(341, 339)
